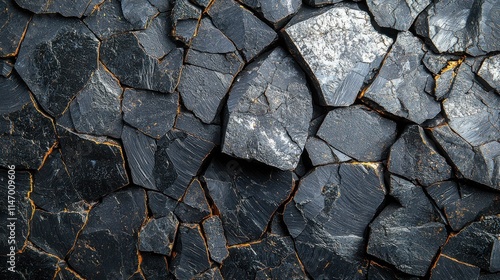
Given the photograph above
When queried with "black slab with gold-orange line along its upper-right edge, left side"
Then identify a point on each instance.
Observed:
(96, 166)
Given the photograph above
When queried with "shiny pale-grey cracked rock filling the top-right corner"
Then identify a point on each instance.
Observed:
(461, 26)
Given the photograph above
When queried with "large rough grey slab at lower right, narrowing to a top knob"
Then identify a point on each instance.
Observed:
(407, 234)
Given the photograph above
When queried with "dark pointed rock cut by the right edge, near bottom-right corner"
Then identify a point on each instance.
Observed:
(477, 244)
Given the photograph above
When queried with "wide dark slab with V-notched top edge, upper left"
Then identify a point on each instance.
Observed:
(145, 71)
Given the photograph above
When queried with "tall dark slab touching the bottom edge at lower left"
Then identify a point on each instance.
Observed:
(112, 226)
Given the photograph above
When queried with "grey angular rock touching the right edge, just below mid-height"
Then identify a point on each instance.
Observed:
(474, 163)
